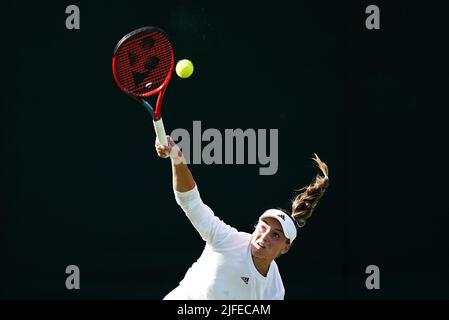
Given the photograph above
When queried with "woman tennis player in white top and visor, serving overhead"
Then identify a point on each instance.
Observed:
(237, 265)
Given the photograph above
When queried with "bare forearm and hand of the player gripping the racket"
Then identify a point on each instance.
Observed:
(182, 177)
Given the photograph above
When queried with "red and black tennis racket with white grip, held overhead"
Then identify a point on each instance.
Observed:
(142, 65)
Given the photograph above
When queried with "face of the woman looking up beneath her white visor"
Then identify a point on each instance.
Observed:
(268, 240)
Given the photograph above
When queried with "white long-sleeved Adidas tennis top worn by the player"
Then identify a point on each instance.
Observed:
(225, 270)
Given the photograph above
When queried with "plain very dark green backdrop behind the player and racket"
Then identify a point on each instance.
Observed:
(81, 183)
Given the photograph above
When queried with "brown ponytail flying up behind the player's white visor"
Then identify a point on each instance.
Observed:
(304, 203)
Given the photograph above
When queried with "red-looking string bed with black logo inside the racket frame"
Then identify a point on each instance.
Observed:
(143, 62)
